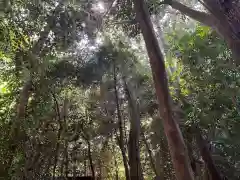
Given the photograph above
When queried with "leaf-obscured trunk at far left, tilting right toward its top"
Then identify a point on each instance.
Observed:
(17, 133)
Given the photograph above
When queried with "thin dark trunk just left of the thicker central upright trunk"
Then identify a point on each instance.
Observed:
(120, 139)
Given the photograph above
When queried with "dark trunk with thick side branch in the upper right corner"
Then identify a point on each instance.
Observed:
(223, 17)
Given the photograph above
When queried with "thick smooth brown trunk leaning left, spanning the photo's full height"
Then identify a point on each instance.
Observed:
(176, 144)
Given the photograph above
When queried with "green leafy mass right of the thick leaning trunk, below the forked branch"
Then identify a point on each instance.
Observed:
(210, 85)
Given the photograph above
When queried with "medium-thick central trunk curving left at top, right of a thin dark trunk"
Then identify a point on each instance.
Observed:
(134, 149)
